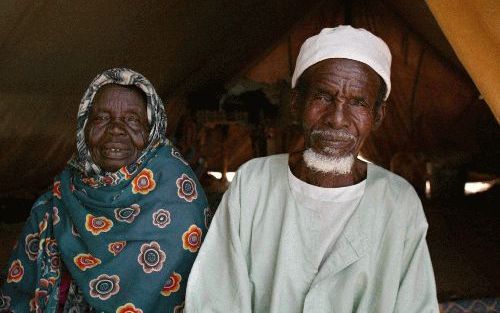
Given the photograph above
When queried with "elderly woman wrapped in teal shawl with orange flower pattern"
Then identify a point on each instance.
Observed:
(121, 228)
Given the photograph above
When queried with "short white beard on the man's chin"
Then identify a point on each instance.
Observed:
(327, 164)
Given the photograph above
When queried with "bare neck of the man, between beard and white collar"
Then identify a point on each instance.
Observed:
(327, 180)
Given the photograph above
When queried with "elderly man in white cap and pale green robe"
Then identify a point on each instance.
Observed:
(320, 230)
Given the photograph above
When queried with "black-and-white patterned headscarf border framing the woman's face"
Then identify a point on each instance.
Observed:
(82, 161)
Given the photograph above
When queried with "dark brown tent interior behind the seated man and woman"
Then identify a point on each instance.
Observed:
(224, 69)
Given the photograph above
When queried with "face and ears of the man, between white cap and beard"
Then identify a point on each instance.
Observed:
(336, 106)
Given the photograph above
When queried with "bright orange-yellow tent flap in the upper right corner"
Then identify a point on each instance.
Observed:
(473, 29)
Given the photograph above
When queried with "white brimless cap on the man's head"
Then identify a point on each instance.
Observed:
(348, 43)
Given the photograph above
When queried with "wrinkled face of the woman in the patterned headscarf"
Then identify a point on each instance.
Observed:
(117, 128)
